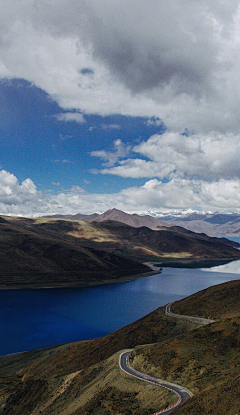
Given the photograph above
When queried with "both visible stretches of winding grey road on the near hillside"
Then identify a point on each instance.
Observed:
(182, 393)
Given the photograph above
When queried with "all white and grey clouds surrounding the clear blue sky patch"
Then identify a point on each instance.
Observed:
(175, 62)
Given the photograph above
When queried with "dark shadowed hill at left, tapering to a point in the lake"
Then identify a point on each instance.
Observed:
(29, 258)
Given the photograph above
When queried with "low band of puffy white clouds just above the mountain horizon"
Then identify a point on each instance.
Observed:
(25, 200)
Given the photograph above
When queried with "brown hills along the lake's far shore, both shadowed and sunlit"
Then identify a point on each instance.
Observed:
(58, 252)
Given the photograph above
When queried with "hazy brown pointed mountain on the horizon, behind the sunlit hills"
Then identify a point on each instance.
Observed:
(117, 215)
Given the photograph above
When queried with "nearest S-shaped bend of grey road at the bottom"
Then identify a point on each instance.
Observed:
(182, 393)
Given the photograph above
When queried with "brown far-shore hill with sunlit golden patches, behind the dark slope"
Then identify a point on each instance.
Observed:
(142, 243)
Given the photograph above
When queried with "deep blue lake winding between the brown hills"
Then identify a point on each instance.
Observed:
(33, 319)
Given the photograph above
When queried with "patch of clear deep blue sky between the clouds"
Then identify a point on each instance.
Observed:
(55, 153)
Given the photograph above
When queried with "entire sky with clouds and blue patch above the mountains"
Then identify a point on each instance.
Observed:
(127, 104)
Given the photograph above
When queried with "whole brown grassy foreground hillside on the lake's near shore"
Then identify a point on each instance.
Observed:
(83, 378)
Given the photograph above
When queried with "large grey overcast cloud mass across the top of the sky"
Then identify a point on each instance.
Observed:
(176, 60)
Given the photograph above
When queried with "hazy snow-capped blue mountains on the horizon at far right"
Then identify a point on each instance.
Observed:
(212, 224)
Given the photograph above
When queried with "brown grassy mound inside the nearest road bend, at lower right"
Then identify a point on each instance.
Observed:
(205, 360)
